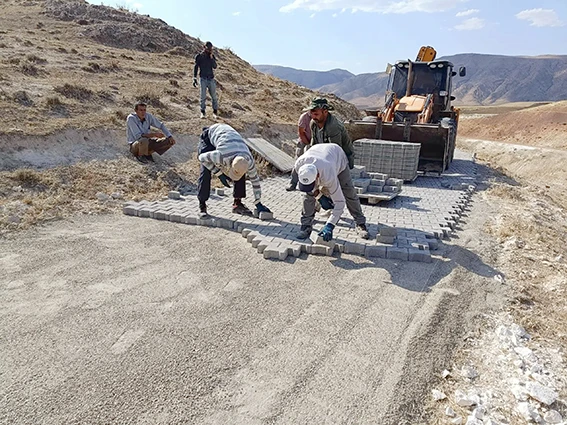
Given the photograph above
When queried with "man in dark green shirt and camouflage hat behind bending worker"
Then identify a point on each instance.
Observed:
(326, 128)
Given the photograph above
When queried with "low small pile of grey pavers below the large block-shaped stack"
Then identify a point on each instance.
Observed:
(375, 187)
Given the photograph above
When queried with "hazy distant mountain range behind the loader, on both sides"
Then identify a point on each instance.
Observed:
(490, 79)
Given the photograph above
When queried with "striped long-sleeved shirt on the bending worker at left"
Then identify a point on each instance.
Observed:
(229, 144)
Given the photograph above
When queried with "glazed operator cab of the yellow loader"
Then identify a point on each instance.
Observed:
(426, 78)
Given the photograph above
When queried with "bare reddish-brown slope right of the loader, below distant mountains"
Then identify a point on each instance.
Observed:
(542, 126)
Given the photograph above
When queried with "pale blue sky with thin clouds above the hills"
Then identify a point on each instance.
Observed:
(364, 35)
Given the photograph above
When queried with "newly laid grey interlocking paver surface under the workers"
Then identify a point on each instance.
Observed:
(405, 228)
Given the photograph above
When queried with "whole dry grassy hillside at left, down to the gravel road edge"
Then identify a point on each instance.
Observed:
(70, 72)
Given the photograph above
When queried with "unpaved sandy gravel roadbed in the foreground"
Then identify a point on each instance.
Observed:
(114, 319)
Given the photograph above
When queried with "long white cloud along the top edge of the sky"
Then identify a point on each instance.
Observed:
(379, 6)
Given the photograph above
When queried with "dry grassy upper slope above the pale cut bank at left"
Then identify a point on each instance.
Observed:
(69, 64)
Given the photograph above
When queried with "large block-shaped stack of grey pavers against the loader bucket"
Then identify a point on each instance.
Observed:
(396, 159)
